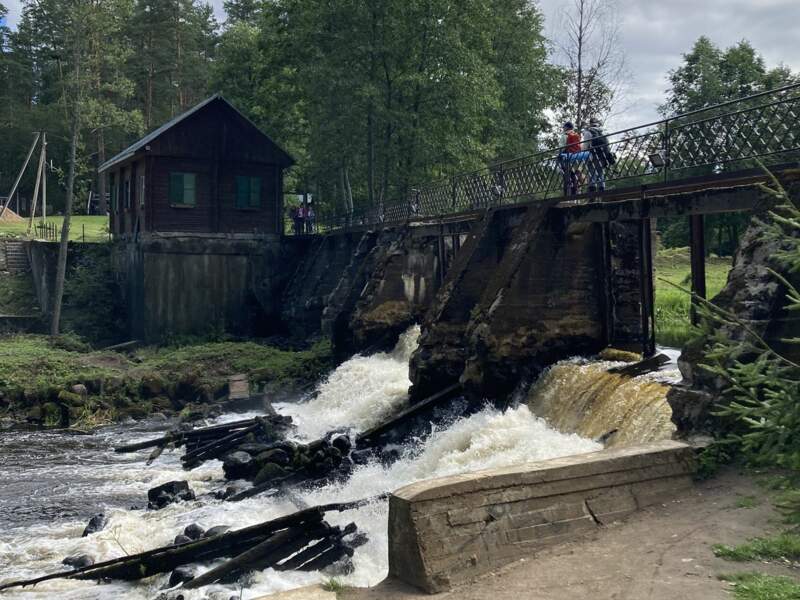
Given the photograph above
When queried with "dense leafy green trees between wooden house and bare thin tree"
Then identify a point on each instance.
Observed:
(380, 96)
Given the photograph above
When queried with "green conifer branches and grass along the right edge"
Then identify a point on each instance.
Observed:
(756, 417)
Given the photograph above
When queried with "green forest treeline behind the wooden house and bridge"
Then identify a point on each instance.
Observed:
(369, 97)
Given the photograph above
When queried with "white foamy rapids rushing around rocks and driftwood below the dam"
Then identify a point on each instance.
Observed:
(359, 394)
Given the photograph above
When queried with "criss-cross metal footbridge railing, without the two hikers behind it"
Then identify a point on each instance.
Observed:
(533, 174)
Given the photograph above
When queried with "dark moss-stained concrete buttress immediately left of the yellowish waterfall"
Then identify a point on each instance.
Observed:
(545, 302)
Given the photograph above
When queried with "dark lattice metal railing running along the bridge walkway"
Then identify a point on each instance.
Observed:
(724, 137)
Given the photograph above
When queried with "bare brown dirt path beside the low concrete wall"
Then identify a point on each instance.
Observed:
(662, 553)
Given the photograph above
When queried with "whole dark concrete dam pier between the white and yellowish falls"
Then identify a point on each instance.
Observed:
(526, 291)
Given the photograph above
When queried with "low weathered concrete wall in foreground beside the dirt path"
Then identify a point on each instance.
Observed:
(448, 531)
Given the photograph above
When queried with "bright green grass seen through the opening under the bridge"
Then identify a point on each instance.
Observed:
(672, 305)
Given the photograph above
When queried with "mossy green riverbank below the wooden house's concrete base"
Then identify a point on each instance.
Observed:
(36, 375)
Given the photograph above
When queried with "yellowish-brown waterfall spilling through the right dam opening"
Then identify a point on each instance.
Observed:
(581, 396)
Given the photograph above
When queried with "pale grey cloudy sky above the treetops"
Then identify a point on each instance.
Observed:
(655, 33)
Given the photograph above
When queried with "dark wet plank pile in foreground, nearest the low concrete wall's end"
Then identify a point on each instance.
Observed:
(299, 541)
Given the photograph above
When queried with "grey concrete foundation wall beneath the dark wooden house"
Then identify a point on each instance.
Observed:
(195, 285)
